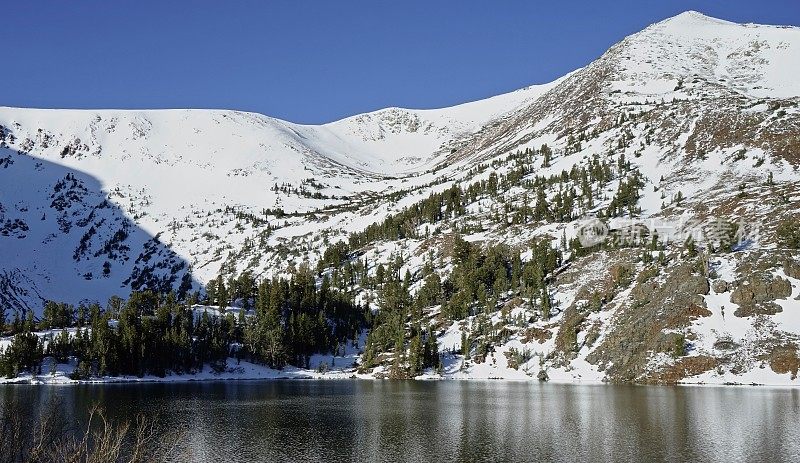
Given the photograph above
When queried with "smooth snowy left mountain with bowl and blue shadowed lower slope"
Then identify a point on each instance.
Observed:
(177, 175)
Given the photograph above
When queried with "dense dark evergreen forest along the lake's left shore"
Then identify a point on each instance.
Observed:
(154, 334)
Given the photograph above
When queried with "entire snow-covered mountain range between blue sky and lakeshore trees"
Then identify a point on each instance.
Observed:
(682, 129)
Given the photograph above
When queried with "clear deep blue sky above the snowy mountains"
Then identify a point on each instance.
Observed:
(319, 61)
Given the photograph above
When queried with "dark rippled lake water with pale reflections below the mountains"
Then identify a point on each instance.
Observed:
(443, 421)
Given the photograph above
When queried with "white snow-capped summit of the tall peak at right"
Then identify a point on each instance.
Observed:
(756, 60)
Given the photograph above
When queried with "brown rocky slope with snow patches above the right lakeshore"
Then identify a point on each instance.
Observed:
(661, 323)
